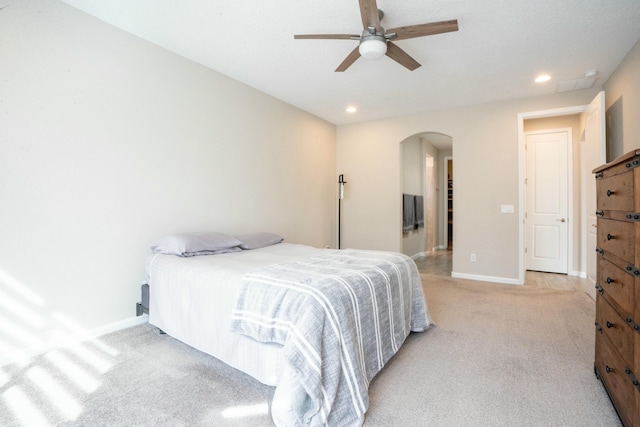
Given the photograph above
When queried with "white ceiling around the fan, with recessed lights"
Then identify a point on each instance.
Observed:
(499, 49)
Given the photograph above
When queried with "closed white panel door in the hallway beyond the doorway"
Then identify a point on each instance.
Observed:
(547, 206)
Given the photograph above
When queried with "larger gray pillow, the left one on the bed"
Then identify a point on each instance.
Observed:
(191, 244)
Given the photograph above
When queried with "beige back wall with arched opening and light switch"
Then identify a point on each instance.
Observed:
(485, 149)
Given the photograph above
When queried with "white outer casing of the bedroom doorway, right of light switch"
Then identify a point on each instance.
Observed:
(522, 158)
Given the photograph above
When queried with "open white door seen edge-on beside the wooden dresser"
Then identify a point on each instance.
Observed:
(595, 155)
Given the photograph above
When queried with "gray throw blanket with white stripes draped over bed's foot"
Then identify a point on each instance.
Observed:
(339, 317)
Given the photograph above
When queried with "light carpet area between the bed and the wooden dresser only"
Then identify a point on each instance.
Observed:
(501, 356)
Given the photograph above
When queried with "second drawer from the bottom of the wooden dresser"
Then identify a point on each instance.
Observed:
(610, 324)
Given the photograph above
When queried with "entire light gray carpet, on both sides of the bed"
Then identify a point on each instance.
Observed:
(500, 356)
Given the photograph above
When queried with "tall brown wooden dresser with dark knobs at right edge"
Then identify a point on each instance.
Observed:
(617, 352)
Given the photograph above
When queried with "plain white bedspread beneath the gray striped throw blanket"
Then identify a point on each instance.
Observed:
(192, 299)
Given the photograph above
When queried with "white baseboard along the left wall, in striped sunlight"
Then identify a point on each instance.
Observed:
(23, 356)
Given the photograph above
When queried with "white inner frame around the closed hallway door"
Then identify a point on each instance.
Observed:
(570, 189)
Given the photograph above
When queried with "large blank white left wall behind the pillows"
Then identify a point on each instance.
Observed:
(108, 142)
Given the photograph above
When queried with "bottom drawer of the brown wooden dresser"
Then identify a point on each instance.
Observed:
(612, 373)
